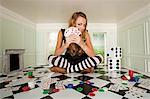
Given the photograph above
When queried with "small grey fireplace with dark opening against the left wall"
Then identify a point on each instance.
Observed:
(13, 60)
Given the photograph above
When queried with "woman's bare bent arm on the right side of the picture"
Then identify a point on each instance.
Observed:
(87, 47)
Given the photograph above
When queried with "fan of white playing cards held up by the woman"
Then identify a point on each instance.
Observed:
(72, 30)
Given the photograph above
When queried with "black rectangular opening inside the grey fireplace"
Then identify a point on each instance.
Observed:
(14, 62)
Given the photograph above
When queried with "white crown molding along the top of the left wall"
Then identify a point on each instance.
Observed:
(10, 15)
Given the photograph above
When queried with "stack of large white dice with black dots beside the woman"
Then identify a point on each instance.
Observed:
(114, 58)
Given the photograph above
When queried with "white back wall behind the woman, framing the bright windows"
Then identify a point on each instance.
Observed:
(42, 30)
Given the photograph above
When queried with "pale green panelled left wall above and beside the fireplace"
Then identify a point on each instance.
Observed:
(18, 32)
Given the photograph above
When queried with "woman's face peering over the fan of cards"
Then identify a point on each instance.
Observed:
(81, 23)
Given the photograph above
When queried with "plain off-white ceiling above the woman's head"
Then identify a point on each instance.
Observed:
(59, 11)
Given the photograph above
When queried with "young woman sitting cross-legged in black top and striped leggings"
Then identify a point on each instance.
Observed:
(79, 54)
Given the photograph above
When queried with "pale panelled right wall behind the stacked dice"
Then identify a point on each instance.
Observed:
(134, 36)
